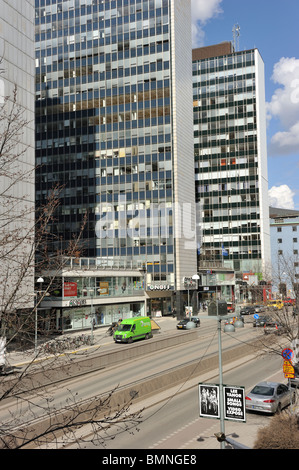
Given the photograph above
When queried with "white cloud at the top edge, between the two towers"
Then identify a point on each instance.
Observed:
(202, 11)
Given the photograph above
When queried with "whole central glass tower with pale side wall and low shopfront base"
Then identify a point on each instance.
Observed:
(114, 125)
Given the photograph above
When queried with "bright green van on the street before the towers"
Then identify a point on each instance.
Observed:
(133, 328)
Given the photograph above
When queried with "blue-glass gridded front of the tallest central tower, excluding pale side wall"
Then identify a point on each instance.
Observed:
(103, 126)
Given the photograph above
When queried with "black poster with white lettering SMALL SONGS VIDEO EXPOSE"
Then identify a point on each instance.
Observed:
(234, 403)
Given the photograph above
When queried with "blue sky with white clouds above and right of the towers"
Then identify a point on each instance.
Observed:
(272, 27)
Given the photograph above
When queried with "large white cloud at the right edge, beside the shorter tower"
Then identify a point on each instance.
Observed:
(284, 106)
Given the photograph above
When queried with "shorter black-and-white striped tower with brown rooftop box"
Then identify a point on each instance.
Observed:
(231, 160)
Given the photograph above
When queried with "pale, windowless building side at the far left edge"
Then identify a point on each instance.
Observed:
(17, 157)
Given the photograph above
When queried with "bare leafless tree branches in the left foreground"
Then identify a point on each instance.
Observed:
(24, 254)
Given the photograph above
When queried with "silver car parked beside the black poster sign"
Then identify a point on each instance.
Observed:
(269, 397)
